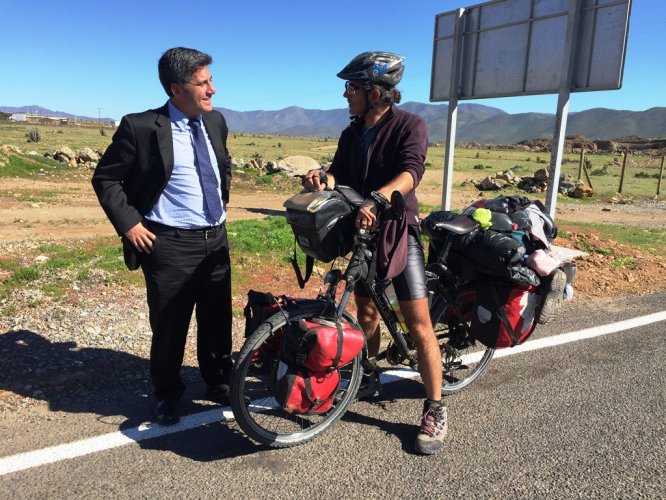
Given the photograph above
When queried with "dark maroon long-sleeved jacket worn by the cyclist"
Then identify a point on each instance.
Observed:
(400, 146)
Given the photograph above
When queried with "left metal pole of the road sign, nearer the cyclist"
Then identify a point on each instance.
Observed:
(447, 181)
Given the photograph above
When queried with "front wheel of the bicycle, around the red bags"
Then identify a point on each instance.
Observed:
(255, 409)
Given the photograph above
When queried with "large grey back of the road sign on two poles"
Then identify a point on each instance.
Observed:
(518, 47)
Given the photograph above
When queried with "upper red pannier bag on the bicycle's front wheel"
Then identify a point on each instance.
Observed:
(321, 345)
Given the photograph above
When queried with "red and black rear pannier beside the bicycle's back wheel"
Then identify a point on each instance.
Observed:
(504, 313)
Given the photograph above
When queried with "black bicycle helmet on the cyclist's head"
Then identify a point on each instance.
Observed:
(375, 68)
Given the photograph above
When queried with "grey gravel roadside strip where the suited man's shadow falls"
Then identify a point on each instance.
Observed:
(90, 351)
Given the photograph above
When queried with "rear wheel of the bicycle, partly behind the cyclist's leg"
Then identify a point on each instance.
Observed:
(463, 358)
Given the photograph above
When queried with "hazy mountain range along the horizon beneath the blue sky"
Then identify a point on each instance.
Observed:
(476, 122)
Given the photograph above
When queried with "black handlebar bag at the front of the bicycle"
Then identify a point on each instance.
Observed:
(322, 222)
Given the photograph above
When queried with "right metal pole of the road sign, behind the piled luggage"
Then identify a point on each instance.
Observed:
(562, 113)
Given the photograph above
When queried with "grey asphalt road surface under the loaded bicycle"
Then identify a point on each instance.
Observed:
(583, 419)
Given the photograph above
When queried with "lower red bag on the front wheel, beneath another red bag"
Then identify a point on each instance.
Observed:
(298, 390)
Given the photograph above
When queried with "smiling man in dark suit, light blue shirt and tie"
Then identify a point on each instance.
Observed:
(164, 184)
